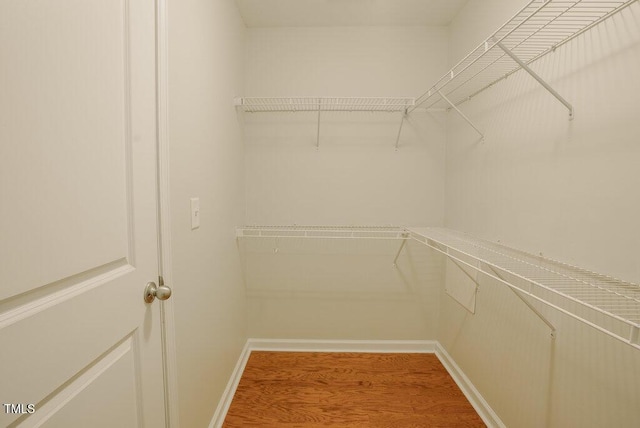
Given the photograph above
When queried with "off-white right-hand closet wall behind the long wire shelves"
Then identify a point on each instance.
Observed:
(567, 189)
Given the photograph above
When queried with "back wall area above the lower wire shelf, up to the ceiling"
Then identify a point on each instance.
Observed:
(356, 177)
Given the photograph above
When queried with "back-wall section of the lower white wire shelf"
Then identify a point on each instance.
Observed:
(325, 232)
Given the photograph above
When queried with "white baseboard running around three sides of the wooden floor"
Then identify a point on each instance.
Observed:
(410, 346)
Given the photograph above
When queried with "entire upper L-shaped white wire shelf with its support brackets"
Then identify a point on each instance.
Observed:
(540, 27)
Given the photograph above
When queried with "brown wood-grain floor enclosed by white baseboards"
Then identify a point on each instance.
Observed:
(313, 389)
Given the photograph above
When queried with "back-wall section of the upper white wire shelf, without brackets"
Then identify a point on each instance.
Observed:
(295, 104)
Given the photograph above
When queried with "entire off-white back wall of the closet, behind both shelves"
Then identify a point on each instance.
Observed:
(334, 288)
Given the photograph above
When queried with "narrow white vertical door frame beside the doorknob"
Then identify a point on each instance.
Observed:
(170, 363)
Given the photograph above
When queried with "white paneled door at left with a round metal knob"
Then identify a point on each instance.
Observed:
(78, 225)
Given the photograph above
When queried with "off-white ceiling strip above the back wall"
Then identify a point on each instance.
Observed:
(336, 13)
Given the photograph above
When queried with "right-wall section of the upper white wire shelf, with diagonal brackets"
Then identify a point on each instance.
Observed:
(538, 28)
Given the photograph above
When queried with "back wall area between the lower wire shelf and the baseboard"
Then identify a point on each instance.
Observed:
(341, 289)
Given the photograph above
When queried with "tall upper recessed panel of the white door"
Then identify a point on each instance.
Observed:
(64, 139)
